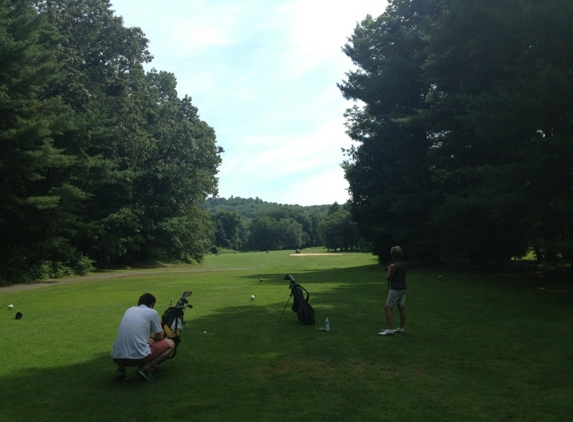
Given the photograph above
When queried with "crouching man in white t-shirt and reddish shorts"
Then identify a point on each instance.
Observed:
(131, 346)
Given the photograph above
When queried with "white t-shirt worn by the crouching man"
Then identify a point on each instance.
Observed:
(138, 324)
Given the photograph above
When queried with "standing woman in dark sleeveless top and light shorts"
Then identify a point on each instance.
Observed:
(397, 293)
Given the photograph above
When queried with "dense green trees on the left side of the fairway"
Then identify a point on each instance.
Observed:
(100, 161)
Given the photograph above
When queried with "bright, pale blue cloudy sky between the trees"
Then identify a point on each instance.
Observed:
(263, 75)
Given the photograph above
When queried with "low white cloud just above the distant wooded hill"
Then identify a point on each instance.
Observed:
(303, 170)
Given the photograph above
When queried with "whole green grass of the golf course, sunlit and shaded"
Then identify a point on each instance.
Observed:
(477, 347)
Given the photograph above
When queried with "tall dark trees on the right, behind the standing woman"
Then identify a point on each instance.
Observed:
(464, 129)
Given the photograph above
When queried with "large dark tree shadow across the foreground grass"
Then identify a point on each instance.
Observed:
(251, 367)
